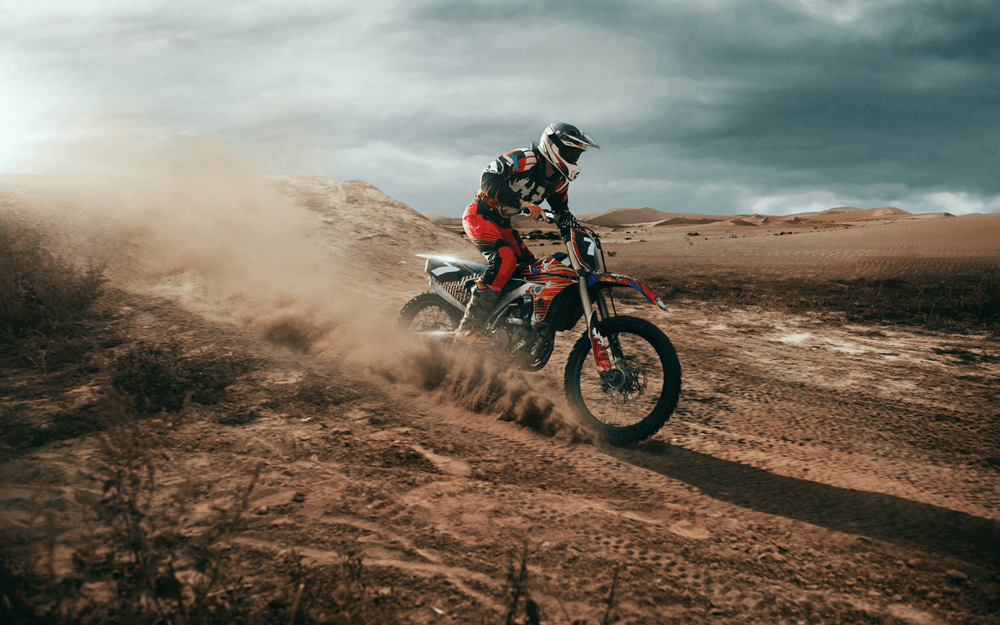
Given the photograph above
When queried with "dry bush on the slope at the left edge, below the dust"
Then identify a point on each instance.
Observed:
(45, 300)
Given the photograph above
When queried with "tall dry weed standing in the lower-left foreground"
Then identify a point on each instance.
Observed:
(147, 547)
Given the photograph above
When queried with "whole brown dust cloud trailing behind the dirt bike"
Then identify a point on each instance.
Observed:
(191, 221)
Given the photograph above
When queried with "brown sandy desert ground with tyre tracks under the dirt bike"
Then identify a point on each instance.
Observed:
(818, 469)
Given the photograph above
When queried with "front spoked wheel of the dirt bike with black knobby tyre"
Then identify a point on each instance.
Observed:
(631, 402)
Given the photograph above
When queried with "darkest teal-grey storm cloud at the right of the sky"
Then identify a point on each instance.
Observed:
(912, 101)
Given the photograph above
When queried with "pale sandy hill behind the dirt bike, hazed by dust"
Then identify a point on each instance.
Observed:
(181, 219)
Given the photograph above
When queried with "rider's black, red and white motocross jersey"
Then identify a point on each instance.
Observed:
(518, 175)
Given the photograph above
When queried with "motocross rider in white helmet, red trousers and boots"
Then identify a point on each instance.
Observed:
(515, 183)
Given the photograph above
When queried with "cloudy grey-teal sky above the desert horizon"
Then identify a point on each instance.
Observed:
(710, 106)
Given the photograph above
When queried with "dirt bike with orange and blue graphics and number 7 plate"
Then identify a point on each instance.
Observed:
(630, 384)
